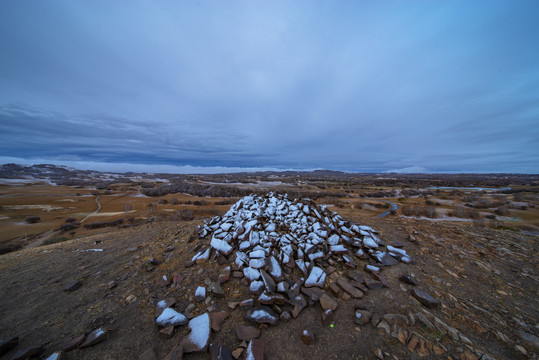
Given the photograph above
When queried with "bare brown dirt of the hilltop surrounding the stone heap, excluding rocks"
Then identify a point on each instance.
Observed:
(486, 281)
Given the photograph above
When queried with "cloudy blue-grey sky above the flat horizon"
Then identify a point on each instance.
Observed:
(218, 86)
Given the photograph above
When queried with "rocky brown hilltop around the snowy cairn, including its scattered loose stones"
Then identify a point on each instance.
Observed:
(475, 298)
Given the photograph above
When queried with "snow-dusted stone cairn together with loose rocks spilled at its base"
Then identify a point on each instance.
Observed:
(283, 250)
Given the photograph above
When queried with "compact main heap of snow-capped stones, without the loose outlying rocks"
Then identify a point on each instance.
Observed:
(269, 236)
